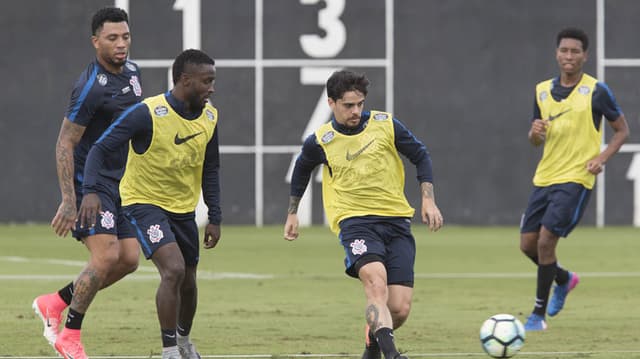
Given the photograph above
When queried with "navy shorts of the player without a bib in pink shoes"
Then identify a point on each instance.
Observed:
(110, 220)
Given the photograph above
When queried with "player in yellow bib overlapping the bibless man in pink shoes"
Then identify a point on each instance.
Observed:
(173, 153)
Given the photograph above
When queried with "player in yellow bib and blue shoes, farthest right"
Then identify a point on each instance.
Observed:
(567, 121)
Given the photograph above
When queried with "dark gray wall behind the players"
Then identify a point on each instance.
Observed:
(464, 75)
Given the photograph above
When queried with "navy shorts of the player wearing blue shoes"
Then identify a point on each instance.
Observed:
(558, 207)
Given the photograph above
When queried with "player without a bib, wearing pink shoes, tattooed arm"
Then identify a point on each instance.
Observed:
(107, 87)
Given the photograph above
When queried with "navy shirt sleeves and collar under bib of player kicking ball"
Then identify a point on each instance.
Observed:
(312, 154)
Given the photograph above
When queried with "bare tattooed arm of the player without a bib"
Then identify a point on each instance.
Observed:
(68, 138)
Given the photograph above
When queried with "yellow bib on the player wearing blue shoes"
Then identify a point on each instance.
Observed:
(572, 139)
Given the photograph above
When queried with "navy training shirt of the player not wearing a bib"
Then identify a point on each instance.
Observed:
(97, 99)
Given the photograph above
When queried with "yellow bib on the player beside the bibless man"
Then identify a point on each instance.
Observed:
(169, 173)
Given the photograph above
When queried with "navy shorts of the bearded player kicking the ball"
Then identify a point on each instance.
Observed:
(379, 239)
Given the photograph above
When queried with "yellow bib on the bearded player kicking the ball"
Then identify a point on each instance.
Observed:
(365, 175)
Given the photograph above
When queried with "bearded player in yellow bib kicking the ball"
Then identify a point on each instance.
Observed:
(364, 201)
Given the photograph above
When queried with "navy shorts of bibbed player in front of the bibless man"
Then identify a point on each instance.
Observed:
(156, 227)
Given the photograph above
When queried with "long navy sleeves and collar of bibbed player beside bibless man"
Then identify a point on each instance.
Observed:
(136, 125)
